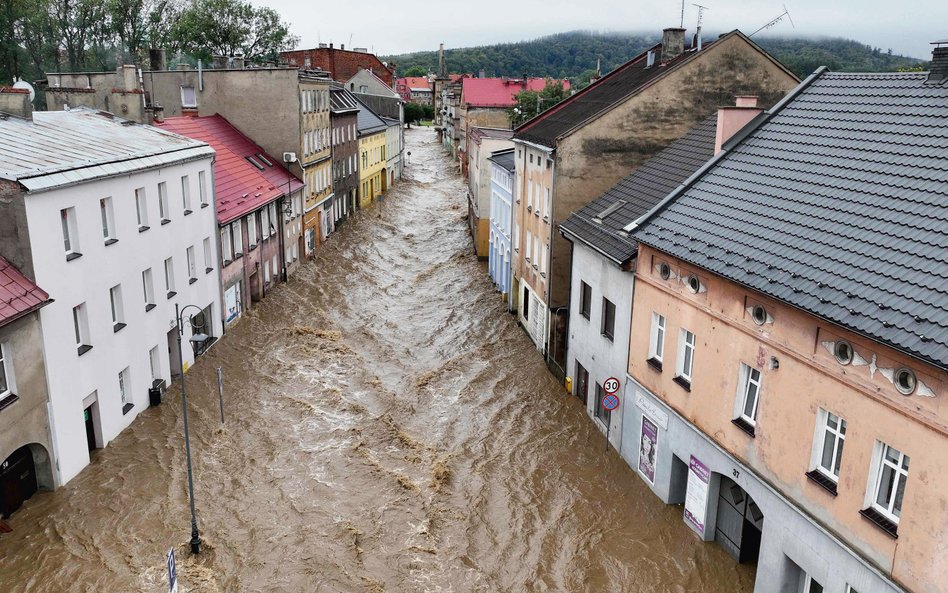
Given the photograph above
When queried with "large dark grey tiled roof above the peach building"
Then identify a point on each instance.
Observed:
(837, 205)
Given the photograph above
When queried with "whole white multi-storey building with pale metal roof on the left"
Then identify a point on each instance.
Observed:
(117, 245)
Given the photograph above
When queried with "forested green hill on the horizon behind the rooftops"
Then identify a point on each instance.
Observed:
(573, 55)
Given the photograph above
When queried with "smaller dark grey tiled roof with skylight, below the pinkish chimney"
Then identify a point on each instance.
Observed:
(640, 192)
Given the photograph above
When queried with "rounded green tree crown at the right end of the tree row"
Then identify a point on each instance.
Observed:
(231, 27)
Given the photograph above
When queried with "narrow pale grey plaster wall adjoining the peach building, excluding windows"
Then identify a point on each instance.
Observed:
(601, 357)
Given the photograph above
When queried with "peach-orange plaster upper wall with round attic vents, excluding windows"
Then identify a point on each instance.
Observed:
(805, 377)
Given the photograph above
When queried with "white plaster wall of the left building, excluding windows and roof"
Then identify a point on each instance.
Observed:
(73, 378)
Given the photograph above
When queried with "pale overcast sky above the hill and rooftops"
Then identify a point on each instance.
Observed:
(395, 27)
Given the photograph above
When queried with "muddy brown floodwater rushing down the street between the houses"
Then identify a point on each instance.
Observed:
(389, 428)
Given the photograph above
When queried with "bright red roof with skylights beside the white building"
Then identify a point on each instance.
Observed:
(240, 187)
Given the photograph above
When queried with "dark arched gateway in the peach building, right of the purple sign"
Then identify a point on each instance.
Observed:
(739, 523)
